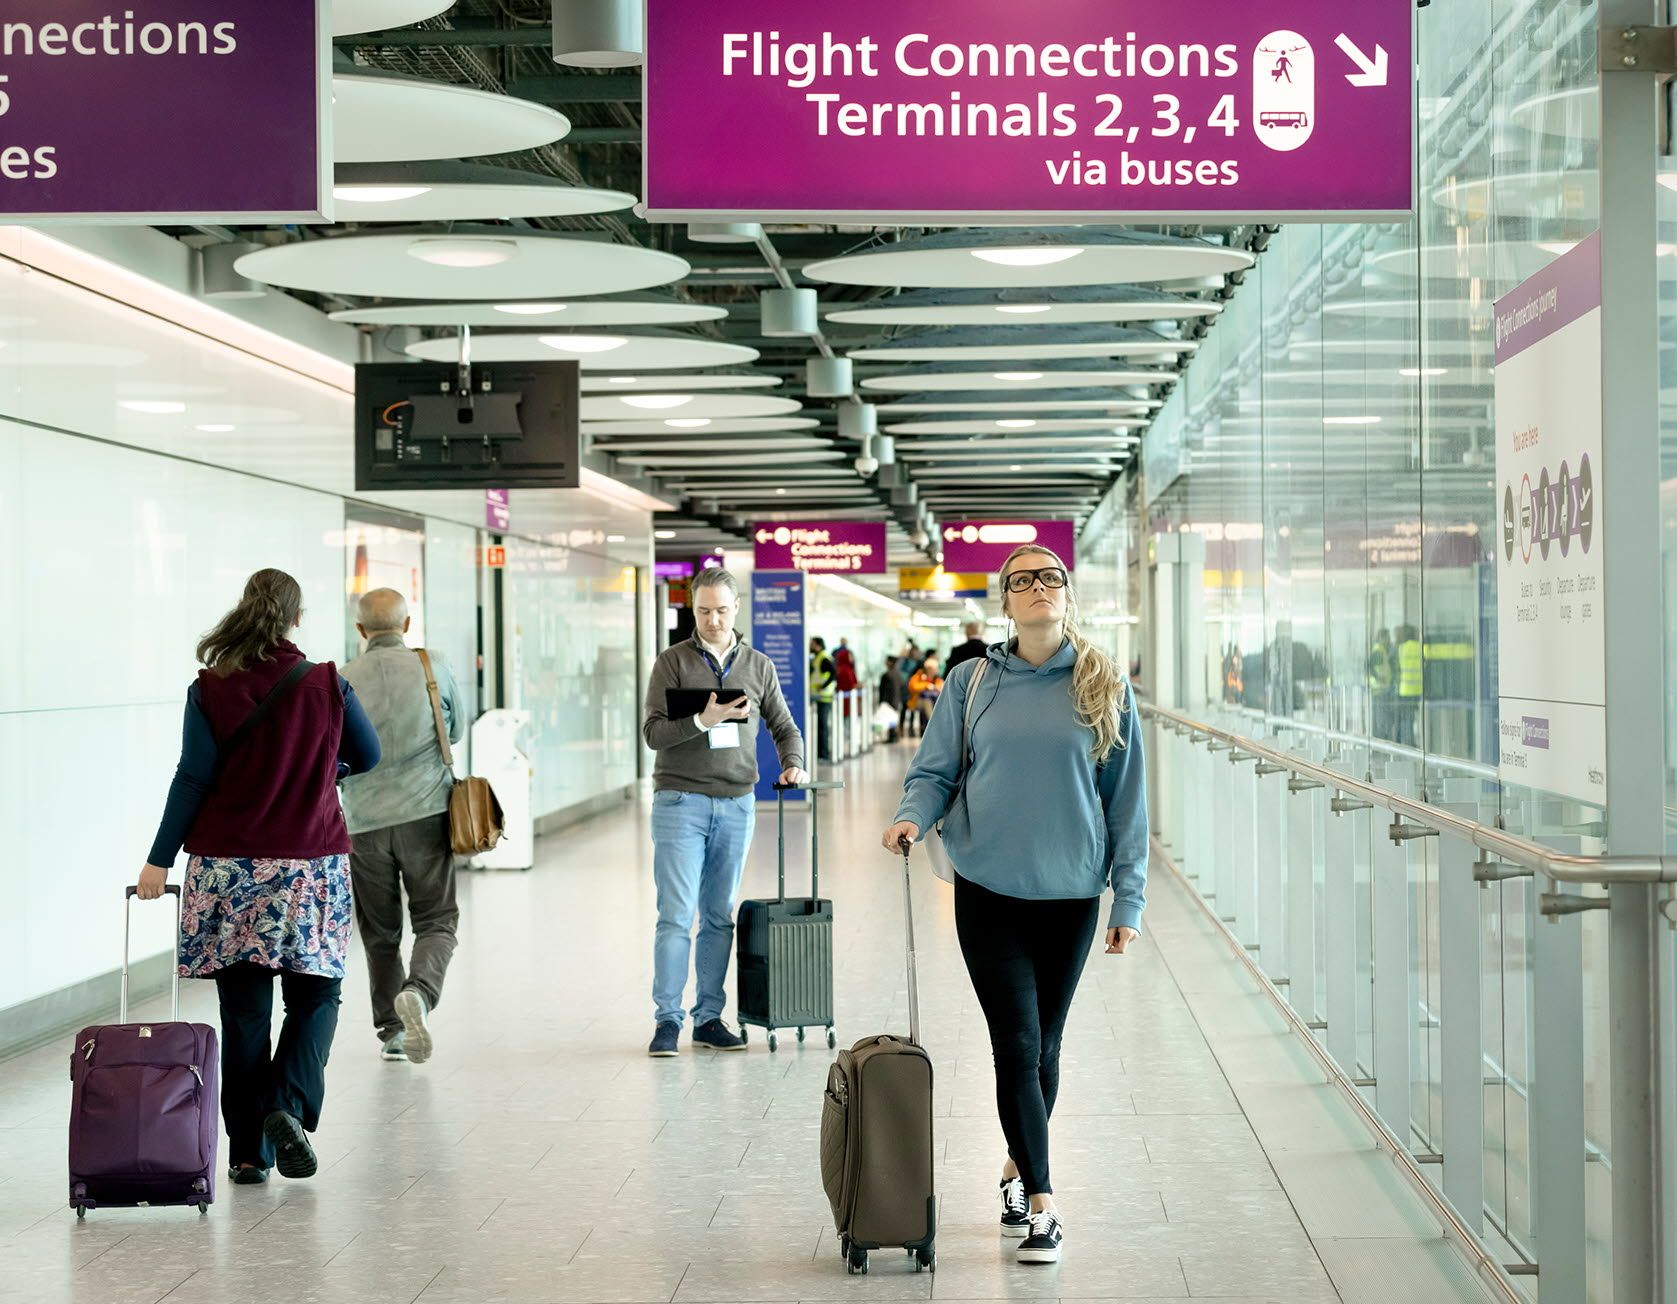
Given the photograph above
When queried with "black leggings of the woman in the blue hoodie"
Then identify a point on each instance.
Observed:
(1025, 960)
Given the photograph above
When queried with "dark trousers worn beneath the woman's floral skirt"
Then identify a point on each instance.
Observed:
(257, 1079)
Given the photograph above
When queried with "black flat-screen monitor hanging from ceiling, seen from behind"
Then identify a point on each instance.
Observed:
(514, 428)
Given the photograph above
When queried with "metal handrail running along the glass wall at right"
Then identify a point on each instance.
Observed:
(1503, 846)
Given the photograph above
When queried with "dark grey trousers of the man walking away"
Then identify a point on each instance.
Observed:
(383, 862)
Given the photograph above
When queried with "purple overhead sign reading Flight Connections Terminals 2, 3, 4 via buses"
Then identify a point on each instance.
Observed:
(980, 111)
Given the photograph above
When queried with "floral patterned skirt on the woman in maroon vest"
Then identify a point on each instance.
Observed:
(279, 914)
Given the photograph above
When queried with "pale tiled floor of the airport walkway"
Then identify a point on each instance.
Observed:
(544, 1157)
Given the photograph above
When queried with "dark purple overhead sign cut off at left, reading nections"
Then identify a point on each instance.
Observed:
(165, 111)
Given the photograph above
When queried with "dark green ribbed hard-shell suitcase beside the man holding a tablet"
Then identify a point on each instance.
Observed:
(786, 946)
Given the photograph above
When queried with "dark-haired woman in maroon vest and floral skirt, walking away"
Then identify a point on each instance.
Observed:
(267, 882)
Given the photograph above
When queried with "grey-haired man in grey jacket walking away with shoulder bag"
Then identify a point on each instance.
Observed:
(398, 824)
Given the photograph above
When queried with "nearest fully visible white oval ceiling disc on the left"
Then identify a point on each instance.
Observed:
(380, 266)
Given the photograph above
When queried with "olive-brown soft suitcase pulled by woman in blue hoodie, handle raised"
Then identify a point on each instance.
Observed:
(878, 1139)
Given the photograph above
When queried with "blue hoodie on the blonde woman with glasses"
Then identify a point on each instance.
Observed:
(1076, 829)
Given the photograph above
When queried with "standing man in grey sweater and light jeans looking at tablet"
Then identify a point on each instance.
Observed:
(705, 805)
